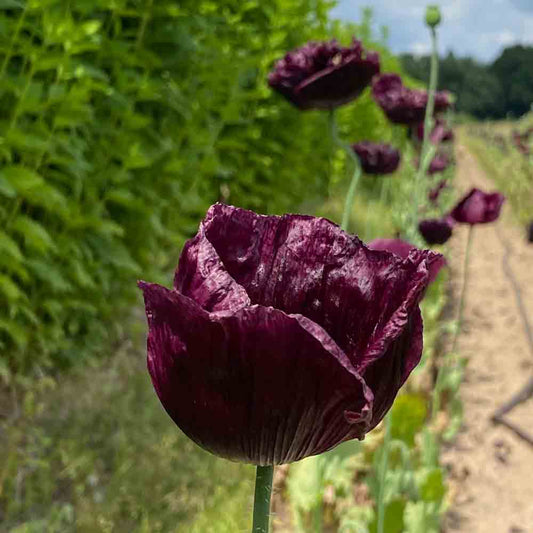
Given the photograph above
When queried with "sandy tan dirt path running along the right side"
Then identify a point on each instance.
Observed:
(491, 469)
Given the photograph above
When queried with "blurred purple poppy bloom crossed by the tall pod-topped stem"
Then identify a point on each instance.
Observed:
(403, 105)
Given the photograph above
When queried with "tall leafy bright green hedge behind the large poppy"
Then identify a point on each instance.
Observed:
(121, 121)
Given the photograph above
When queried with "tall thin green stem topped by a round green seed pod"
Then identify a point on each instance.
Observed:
(428, 150)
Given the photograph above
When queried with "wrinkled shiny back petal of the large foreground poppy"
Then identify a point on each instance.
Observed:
(308, 265)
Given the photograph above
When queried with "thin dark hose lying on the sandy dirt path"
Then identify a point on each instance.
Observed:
(526, 391)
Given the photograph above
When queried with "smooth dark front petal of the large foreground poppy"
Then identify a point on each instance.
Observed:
(256, 385)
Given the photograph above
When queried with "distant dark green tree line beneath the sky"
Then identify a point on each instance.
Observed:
(495, 90)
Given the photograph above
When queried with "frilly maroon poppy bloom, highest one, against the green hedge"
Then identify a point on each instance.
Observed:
(324, 75)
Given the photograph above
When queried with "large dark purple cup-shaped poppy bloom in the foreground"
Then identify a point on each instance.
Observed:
(283, 336)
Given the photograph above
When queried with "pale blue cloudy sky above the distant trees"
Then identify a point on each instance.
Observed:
(480, 28)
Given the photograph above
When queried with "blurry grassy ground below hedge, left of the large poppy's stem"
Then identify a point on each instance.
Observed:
(95, 452)
